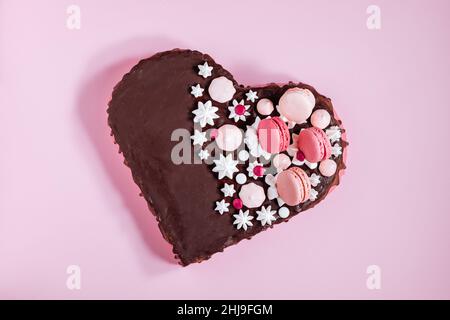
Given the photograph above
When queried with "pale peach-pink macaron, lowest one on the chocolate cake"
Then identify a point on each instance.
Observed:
(293, 186)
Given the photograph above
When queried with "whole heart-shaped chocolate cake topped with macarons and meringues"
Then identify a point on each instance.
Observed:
(218, 162)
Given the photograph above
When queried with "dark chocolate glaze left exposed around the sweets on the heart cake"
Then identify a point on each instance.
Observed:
(150, 102)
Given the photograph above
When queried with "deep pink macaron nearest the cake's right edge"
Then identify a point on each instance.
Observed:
(314, 144)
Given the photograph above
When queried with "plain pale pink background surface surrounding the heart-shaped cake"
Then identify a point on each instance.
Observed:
(66, 198)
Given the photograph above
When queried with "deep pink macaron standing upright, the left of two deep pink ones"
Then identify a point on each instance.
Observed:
(273, 135)
